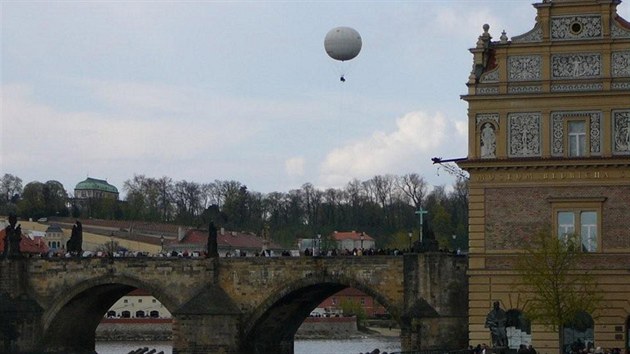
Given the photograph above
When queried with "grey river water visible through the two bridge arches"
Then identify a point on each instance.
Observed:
(311, 346)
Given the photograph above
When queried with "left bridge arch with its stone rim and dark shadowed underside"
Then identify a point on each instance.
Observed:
(70, 321)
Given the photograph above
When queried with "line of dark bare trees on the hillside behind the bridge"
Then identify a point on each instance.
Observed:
(384, 207)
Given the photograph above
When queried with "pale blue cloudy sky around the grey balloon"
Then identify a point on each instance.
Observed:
(239, 90)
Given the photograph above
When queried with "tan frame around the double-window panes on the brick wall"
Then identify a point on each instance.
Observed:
(577, 206)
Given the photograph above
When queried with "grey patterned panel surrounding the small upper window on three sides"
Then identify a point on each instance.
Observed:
(557, 131)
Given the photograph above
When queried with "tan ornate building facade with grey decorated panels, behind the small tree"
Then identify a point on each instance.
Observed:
(549, 147)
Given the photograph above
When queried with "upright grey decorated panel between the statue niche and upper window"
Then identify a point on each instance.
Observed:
(524, 134)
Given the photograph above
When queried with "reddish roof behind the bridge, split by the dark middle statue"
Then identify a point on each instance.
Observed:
(226, 239)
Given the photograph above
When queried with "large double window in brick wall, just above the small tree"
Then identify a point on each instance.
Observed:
(579, 220)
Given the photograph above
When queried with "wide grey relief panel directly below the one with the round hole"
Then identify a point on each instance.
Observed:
(576, 66)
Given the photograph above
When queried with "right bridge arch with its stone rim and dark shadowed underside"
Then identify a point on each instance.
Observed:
(273, 324)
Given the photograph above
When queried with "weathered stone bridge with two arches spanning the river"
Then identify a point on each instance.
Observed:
(228, 305)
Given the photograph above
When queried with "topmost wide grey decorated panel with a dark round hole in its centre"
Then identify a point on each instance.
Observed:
(576, 27)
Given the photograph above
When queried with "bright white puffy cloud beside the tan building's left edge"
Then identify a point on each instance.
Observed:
(418, 136)
